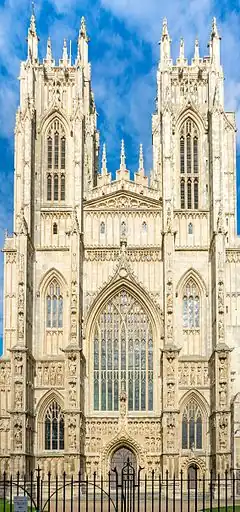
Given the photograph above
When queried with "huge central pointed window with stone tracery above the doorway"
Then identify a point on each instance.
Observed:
(123, 355)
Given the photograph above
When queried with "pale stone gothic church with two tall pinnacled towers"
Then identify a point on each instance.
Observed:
(122, 297)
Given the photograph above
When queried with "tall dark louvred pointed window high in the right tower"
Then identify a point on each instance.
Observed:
(189, 165)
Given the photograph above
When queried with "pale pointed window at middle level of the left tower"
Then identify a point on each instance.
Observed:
(54, 306)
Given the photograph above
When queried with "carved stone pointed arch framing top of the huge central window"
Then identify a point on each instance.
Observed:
(133, 289)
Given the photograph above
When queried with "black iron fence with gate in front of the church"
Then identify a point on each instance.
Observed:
(124, 491)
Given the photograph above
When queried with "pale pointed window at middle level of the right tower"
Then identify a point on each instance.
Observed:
(191, 306)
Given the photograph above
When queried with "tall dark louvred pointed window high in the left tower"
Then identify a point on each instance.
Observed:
(56, 162)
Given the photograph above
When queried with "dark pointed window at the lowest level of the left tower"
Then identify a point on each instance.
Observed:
(54, 427)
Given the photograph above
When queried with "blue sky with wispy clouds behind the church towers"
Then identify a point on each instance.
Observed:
(124, 52)
